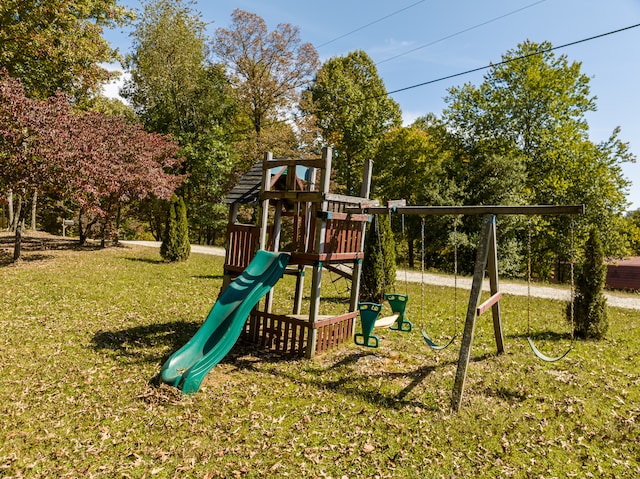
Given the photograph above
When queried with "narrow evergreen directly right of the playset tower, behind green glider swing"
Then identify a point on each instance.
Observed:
(379, 264)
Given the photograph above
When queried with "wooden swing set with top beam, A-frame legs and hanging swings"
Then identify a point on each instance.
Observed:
(486, 262)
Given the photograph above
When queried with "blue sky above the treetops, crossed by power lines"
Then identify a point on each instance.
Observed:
(419, 41)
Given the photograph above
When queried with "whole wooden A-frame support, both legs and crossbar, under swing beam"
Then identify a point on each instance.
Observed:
(487, 252)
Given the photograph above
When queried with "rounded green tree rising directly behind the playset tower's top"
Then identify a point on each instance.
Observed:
(353, 111)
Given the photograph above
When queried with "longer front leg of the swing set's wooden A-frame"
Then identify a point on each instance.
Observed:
(482, 253)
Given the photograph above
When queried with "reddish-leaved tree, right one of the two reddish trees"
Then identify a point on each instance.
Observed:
(115, 163)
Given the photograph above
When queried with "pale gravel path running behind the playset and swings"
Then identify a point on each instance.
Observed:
(517, 289)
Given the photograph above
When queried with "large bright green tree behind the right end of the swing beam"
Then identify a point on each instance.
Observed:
(532, 106)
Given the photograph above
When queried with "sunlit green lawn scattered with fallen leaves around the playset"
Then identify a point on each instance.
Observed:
(84, 332)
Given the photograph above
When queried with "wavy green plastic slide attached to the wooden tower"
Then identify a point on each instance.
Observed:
(188, 366)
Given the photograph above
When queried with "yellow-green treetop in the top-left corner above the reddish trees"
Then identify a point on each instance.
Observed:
(57, 45)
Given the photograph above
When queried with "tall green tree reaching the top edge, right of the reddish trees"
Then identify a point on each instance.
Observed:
(174, 89)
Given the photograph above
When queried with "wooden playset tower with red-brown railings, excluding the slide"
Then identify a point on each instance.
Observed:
(297, 213)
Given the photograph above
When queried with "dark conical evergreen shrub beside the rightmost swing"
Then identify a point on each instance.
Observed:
(590, 319)
